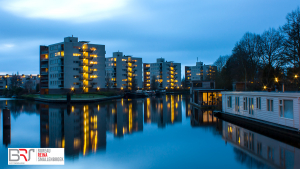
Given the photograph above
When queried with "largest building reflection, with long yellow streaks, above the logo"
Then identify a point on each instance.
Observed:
(82, 129)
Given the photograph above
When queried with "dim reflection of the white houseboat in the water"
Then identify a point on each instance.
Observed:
(257, 150)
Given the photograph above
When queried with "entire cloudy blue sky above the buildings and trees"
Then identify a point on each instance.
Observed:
(178, 30)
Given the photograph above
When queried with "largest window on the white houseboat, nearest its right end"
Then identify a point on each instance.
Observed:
(286, 109)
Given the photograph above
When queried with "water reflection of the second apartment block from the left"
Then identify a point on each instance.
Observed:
(125, 116)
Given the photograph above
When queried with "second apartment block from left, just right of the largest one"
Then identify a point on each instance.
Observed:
(123, 72)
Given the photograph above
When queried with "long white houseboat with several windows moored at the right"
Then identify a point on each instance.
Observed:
(275, 109)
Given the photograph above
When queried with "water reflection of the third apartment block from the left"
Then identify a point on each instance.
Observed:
(163, 110)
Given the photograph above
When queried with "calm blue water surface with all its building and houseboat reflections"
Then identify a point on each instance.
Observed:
(157, 132)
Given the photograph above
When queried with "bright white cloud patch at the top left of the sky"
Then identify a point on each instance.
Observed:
(70, 10)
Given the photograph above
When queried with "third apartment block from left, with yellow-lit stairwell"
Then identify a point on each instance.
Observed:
(166, 74)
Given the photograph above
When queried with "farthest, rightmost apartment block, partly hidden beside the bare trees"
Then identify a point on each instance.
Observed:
(199, 72)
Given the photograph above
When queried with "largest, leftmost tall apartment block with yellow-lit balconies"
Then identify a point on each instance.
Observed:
(72, 65)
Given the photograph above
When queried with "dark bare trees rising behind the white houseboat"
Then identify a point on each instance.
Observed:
(266, 59)
